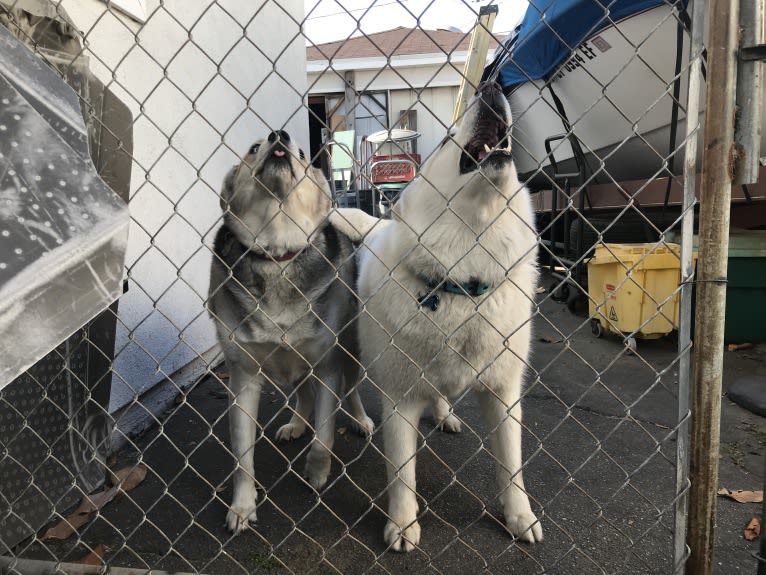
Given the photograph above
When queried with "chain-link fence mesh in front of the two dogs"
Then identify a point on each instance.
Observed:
(117, 447)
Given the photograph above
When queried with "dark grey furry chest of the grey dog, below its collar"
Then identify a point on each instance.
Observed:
(300, 305)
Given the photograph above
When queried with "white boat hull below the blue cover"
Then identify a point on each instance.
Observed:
(616, 93)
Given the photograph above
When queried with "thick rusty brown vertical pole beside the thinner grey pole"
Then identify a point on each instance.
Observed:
(715, 198)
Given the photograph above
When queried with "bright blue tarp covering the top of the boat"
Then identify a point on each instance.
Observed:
(552, 29)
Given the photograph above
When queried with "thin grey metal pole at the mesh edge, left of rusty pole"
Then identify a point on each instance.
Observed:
(687, 275)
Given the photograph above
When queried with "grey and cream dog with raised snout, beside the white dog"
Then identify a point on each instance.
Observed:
(283, 301)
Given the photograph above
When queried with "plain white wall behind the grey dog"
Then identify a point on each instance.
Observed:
(199, 79)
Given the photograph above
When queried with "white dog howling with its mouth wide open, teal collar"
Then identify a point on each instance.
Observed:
(448, 287)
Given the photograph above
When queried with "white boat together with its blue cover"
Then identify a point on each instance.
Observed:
(597, 88)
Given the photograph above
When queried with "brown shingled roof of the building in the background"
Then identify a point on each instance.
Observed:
(397, 42)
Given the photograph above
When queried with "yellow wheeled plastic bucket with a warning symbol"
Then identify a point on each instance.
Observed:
(633, 290)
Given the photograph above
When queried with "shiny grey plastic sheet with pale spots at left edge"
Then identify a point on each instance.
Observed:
(63, 231)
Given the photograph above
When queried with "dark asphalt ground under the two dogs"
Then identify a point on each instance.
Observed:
(600, 450)
